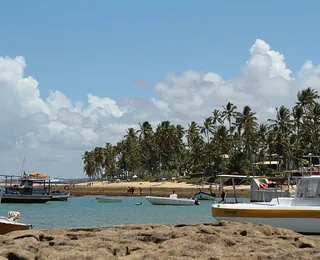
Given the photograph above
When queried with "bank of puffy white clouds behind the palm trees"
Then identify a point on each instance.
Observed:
(53, 133)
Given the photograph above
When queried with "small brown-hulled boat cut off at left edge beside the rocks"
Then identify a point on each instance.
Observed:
(10, 223)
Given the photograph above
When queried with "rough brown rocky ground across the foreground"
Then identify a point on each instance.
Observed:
(199, 241)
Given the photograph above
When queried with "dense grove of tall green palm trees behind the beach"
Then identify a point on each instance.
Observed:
(227, 141)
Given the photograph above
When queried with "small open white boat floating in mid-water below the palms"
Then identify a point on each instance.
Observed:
(172, 200)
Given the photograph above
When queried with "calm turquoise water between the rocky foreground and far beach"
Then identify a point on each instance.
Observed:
(87, 212)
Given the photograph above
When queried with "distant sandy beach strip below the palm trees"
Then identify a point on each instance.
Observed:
(144, 188)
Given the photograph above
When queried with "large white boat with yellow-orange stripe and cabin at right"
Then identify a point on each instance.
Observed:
(300, 213)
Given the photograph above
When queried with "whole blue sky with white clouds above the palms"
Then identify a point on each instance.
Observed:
(77, 74)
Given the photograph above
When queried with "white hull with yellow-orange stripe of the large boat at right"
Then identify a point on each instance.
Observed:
(299, 219)
